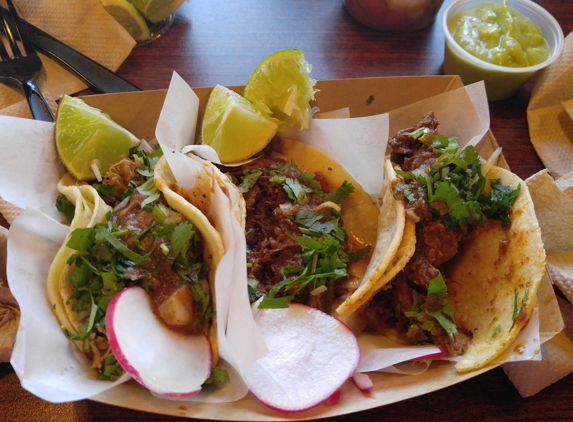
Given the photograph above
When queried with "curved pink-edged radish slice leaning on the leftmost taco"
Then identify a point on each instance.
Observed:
(165, 362)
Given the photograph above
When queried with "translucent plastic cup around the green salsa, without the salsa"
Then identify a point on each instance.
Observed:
(501, 82)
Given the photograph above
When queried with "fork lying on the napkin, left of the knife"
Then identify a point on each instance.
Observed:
(22, 68)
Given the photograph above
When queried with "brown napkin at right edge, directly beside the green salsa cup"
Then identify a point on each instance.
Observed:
(550, 113)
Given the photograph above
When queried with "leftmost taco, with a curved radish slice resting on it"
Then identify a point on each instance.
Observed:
(136, 227)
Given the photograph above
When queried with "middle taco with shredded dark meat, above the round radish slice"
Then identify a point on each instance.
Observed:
(310, 228)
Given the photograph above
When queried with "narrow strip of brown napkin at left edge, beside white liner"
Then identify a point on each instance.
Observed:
(9, 311)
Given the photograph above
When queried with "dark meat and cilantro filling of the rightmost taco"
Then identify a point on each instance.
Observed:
(444, 191)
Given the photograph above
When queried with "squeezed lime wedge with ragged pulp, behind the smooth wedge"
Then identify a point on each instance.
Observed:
(282, 82)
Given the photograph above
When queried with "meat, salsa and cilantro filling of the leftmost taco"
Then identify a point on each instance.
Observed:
(141, 241)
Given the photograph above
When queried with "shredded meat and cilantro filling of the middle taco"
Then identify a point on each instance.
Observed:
(297, 247)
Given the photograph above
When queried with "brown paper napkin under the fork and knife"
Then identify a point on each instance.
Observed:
(83, 25)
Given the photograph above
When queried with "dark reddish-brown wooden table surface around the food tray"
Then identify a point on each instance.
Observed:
(221, 42)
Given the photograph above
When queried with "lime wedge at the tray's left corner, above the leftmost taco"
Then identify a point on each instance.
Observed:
(85, 136)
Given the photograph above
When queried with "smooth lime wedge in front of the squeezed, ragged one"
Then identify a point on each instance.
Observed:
(234, 127)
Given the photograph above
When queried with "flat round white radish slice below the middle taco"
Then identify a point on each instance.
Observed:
(311, 355)
